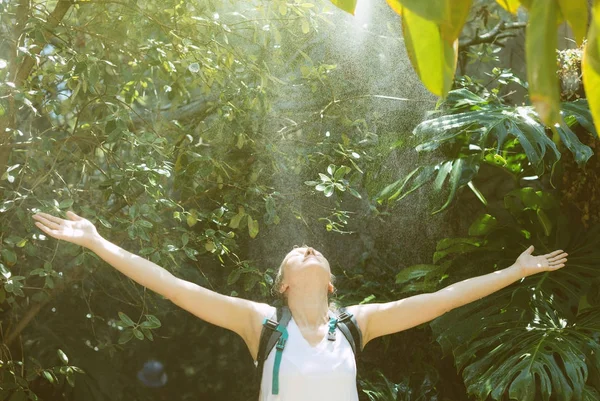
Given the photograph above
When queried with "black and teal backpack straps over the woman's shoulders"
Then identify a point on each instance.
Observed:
(274, 333)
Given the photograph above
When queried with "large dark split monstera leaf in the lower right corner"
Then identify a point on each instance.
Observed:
(515, 342)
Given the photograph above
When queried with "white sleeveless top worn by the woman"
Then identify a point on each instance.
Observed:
(326, 372)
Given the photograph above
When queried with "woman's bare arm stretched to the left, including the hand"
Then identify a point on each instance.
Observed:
(239, 315)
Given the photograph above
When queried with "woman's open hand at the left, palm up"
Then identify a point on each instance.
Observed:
(76, 230)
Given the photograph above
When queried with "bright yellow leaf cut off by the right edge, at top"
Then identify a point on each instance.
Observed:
(590, 66)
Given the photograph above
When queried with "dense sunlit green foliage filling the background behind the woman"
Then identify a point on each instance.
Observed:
(210, 137)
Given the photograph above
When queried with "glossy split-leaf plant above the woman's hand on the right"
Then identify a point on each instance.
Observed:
(481, 129)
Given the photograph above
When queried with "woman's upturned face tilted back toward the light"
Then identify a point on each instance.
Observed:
(306, 263)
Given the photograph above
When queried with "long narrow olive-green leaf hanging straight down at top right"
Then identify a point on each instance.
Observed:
(540, 50)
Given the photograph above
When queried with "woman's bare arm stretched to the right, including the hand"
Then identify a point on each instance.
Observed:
(376, 320)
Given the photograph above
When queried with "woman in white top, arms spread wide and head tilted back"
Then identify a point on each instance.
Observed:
(312, 368)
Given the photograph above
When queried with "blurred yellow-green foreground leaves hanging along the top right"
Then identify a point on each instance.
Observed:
(434, 50)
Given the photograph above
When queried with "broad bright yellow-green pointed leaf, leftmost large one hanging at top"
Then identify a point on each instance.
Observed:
(432, 57)
